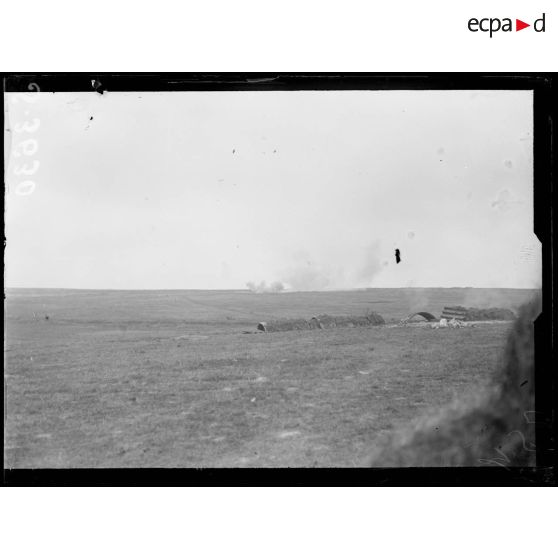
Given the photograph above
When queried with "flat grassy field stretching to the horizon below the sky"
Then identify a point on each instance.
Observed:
(168, 379)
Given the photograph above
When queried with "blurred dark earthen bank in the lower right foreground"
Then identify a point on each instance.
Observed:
(490, 427)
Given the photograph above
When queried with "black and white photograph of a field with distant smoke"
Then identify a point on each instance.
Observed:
(224, 277)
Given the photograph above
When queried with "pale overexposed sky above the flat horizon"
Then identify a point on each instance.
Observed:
(314, 189)
